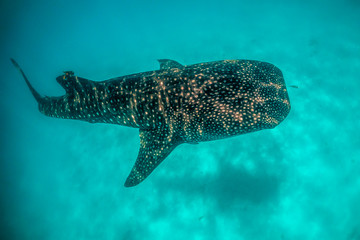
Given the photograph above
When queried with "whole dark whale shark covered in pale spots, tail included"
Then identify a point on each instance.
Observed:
(176, 104)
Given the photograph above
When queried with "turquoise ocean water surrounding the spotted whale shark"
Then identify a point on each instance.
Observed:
(63, 179)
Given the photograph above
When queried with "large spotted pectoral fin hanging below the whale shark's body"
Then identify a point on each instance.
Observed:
(155, 146)
